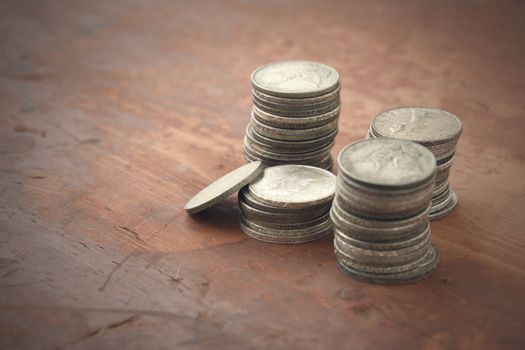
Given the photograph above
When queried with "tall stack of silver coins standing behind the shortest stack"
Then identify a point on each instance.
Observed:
(295, 114)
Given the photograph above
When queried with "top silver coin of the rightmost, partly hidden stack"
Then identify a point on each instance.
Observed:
(420, 124)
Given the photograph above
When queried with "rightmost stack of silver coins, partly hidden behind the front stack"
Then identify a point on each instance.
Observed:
(438, 131)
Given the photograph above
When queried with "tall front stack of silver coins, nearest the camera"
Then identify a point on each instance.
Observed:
(380, 211)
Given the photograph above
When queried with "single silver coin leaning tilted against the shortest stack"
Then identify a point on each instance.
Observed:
(224, 187)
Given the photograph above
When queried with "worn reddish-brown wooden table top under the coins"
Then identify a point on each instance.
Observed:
(115, 113)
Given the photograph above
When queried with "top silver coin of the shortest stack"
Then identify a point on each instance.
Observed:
(293, 186)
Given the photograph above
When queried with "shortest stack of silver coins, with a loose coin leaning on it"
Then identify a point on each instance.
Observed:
(288, 204)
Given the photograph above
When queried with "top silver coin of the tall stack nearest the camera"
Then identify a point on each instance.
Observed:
(387, 162)
